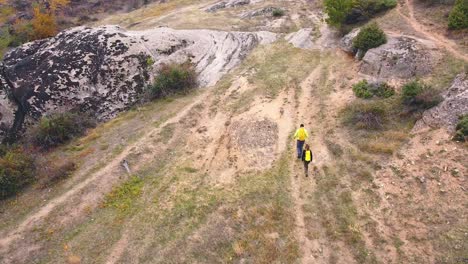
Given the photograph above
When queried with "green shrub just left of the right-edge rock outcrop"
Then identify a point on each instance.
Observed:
(419, 96)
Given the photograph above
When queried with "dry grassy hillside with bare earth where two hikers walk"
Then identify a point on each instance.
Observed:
(214, 177)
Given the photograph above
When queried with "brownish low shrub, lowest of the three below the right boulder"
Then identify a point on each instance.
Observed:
(362, 115)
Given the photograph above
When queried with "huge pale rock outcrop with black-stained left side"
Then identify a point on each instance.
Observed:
(105, 69)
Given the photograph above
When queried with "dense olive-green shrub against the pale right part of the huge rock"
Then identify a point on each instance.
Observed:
(173, 79)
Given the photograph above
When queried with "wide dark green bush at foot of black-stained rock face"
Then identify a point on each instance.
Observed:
(58, 128)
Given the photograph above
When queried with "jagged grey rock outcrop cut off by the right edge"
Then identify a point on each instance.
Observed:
(455, 104)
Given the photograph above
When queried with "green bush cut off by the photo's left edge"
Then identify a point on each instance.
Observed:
(16, 171)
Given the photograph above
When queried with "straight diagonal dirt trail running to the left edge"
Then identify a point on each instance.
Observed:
(110, 168)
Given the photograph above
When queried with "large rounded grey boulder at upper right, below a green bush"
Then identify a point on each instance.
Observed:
(401, 57)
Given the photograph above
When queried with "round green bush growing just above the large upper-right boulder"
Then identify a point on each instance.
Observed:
(370, 36)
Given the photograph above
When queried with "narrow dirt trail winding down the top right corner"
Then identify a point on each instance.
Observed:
(439, 40)
